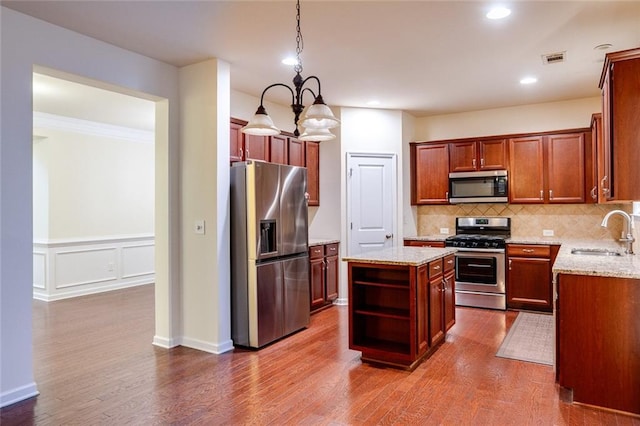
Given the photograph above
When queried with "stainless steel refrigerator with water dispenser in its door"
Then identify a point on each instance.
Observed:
(269, 252)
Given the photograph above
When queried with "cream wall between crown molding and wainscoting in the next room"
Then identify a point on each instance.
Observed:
(96, 186)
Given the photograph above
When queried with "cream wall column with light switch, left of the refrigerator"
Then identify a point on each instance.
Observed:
(204, 118)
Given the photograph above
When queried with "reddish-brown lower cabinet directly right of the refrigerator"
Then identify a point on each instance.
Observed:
(323, 275)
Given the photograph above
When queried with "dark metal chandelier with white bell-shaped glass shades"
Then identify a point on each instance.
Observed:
(316, 119)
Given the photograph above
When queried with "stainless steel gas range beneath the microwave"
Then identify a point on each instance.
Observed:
(480, 261)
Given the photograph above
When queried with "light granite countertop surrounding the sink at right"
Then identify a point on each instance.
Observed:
(625, 266)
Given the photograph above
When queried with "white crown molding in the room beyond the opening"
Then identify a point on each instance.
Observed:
(58, 122)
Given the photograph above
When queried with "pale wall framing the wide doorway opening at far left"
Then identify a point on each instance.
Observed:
(29, 44)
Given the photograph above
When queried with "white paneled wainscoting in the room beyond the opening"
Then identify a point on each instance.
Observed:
(70, 268)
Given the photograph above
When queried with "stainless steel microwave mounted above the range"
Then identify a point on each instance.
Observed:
(479, 187)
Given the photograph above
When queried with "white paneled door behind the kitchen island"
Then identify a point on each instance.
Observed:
(371, 201)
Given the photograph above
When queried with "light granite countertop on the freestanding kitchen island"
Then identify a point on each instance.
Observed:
(401, 255)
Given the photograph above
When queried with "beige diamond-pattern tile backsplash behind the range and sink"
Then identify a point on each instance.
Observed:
(575, 221)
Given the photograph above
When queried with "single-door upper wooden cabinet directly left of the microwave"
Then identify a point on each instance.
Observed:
(429, 173)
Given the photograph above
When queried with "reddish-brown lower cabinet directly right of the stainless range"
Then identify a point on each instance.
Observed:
(529, 280)
